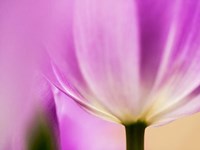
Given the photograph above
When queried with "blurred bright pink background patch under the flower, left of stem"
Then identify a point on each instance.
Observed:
(80, 130)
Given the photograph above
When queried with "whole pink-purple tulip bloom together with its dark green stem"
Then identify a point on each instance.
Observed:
(132, 62)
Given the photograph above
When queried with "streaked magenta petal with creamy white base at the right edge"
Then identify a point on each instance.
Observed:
(178, 74)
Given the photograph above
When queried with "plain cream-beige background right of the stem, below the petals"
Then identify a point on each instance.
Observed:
(183, 134)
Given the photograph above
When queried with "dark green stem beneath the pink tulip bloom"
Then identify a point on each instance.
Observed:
(135, 136)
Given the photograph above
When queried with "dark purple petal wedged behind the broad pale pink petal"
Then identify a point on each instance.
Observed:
(155, 18)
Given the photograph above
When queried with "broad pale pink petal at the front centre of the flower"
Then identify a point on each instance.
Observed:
(108, 52)
